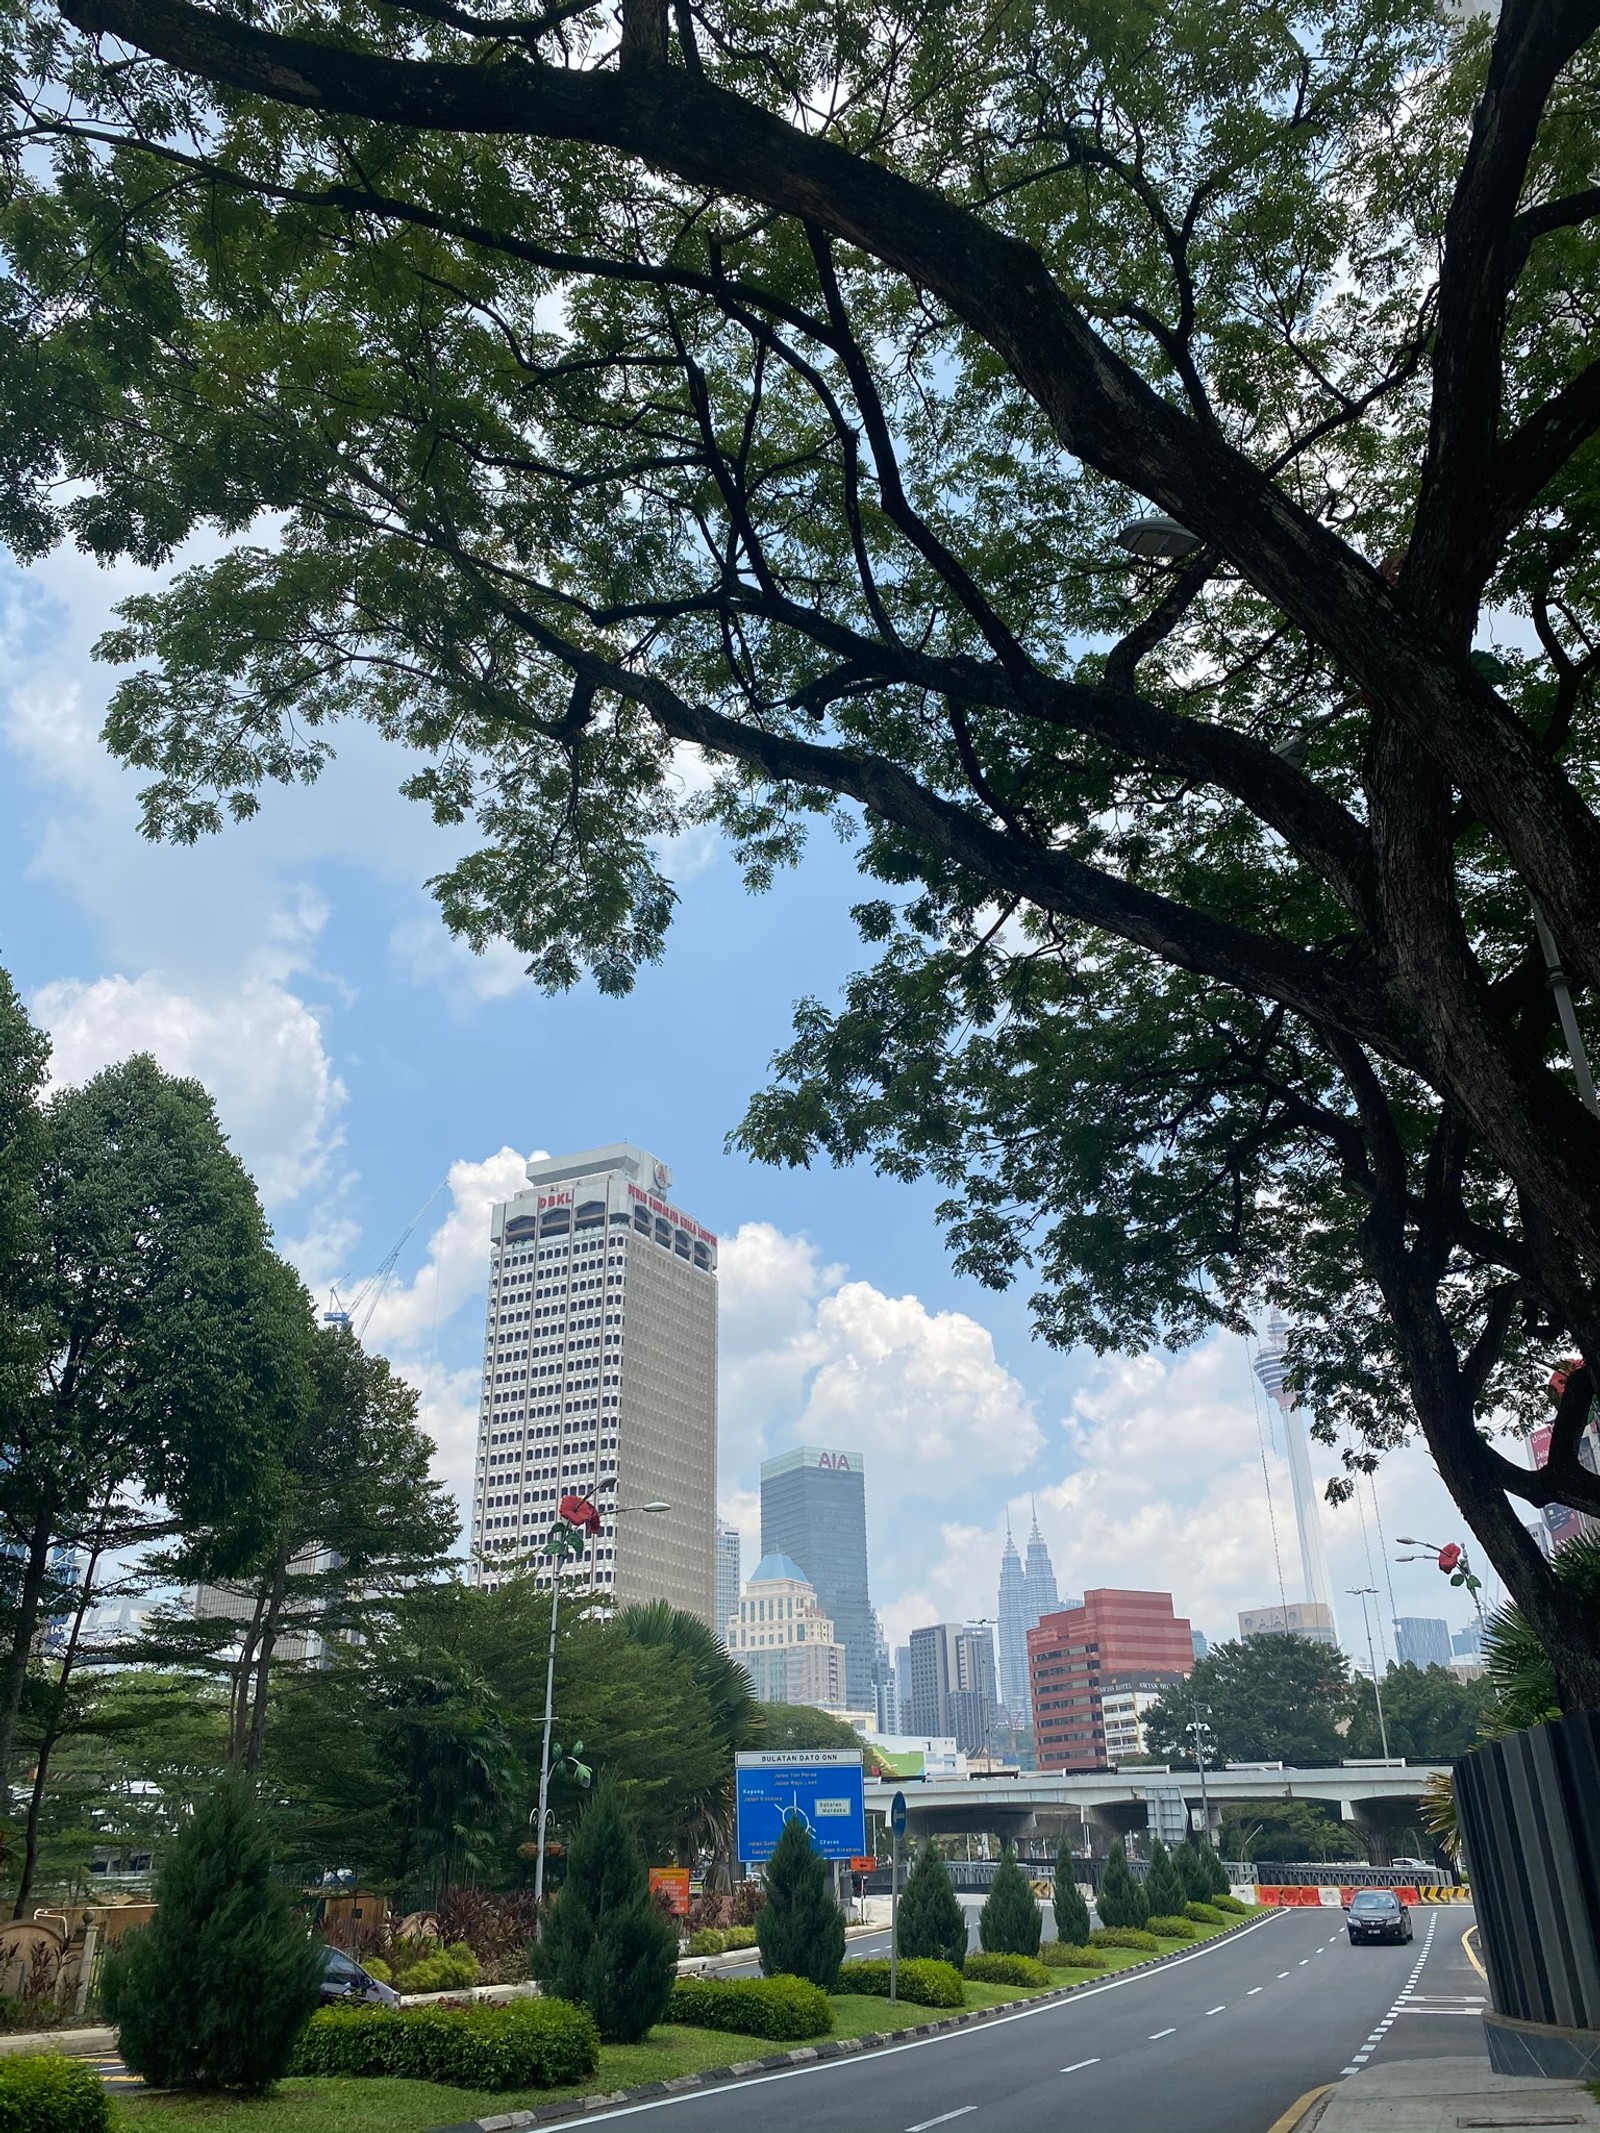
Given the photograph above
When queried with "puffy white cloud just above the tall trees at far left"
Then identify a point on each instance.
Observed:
(259, 1051)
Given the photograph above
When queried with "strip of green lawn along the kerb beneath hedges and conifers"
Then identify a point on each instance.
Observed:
(389, 2106)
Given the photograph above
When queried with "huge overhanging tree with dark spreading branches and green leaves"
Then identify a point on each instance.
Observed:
(771, 383)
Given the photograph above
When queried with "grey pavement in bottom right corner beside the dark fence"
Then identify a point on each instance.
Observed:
(1441, 2096)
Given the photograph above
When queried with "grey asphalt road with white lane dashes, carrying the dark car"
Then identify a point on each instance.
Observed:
(1217, 2042)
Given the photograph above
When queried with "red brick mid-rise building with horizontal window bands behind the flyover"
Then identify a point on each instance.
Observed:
(1115, 1639)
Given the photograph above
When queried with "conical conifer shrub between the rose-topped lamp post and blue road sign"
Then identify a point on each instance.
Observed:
(609, 1946)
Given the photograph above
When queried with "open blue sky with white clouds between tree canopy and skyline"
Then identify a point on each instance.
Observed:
(364, 1063)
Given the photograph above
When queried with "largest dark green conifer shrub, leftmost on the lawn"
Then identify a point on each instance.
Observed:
(219, 1987)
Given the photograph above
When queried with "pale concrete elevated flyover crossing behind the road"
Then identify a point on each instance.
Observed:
(1119, 1801)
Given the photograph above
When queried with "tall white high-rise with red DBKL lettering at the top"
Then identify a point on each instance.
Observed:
(601, 1379)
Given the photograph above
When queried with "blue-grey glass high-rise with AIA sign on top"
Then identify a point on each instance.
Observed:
(814, 1511)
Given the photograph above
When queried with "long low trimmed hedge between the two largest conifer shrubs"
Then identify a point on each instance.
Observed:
(526, 2044)
